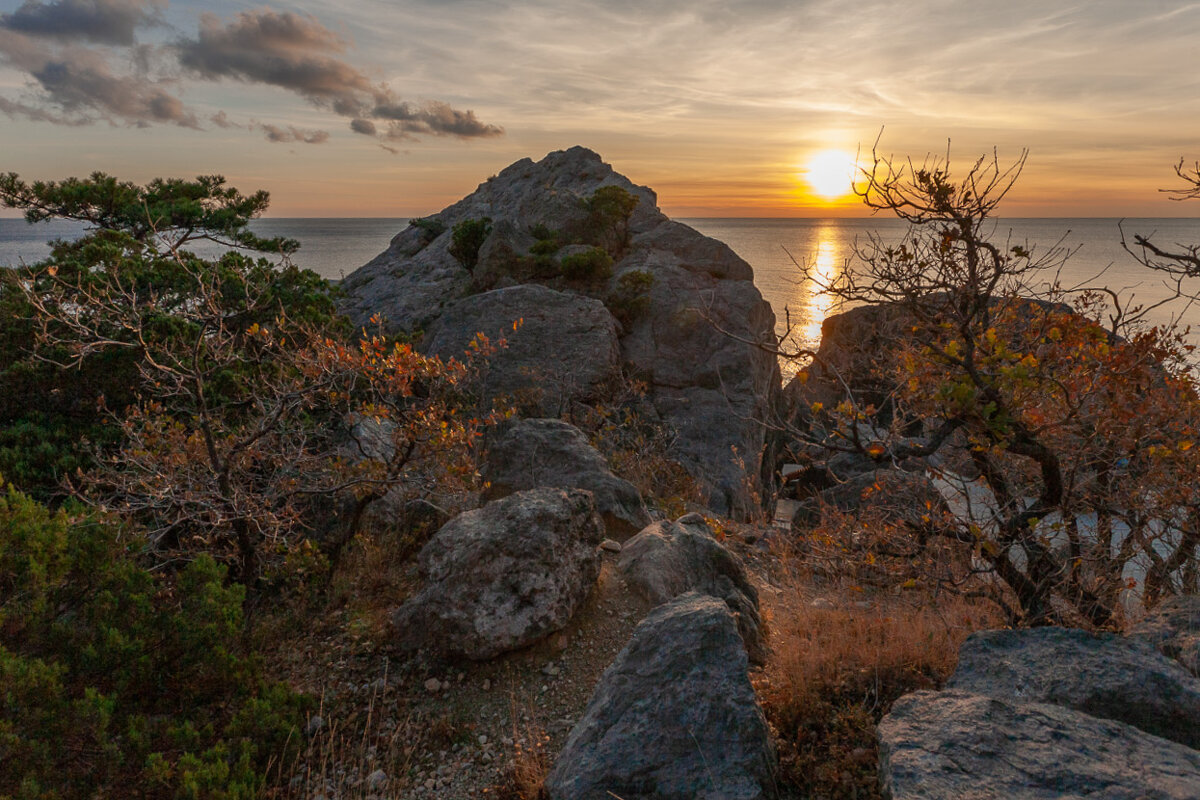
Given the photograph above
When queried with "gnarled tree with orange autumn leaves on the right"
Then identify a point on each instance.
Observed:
(1067, 443)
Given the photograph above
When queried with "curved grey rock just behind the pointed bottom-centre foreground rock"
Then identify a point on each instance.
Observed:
(671, 558)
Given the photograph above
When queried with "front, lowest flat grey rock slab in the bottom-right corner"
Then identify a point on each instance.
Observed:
(957, 745)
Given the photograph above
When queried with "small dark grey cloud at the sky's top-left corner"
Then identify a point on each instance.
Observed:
(104, 22)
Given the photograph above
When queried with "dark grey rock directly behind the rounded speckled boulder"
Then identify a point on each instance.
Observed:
(553, 453)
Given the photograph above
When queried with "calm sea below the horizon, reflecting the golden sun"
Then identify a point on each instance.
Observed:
(779, 250)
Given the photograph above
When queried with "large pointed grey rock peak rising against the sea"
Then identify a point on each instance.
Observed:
(691, 338)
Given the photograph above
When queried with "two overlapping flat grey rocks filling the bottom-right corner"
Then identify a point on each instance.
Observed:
(1048, 713)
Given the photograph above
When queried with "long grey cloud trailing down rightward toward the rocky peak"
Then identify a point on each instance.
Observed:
(297, 53)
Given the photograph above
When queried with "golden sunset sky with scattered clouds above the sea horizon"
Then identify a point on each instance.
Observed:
(399, 109)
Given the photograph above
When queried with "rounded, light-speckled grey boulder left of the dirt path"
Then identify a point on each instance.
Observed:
(505, 576)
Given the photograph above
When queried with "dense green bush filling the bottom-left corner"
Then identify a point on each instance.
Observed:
(117, 682)
